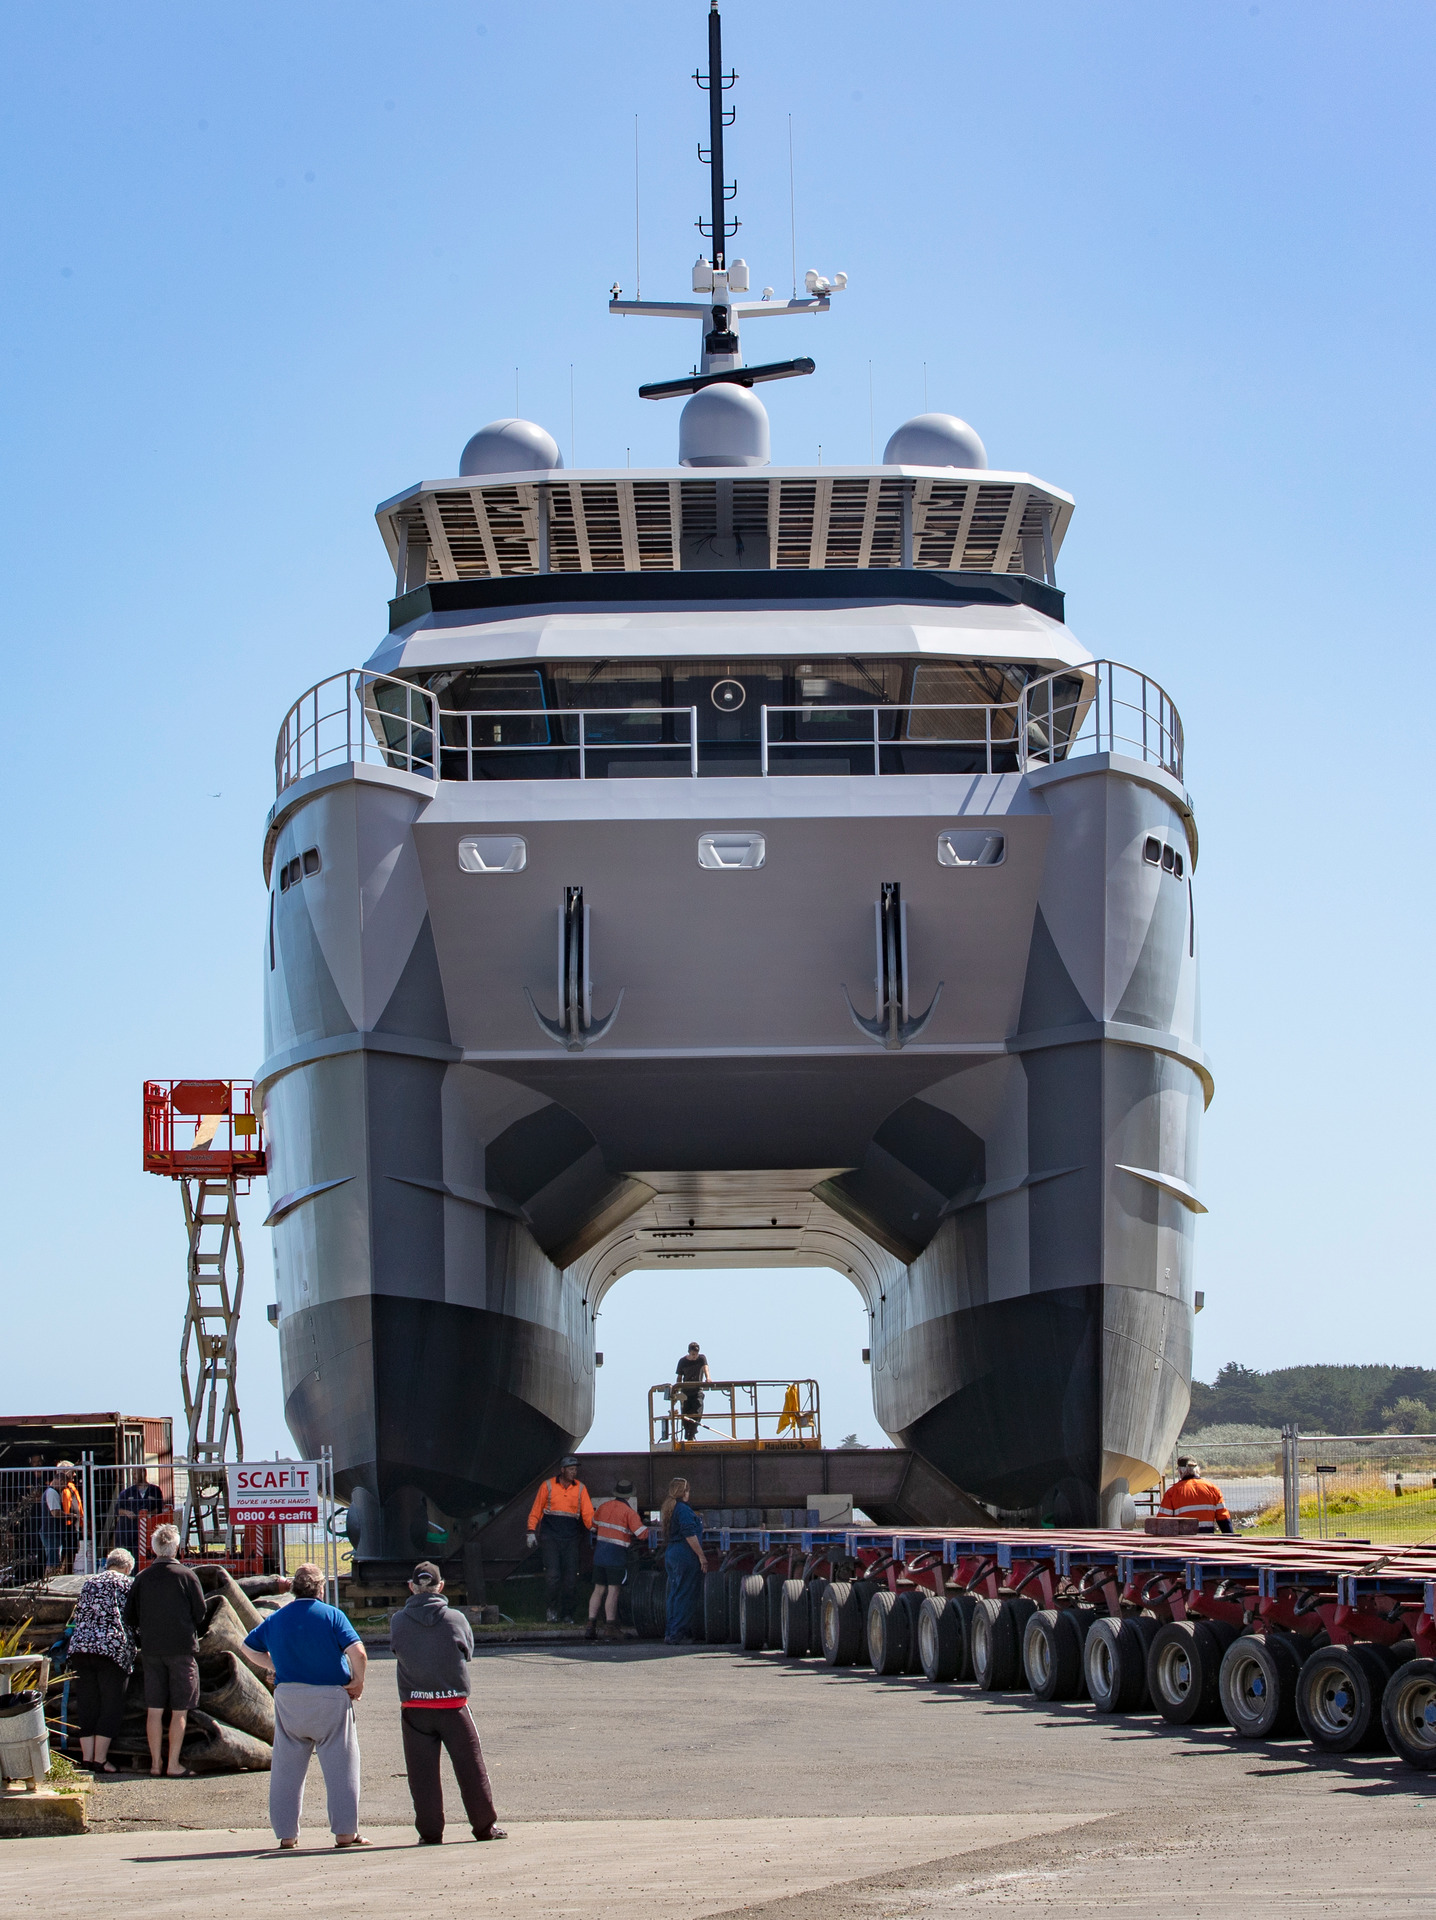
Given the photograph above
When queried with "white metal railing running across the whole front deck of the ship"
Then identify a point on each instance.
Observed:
(362, 717)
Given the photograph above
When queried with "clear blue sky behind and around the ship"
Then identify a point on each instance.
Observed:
(266, 266)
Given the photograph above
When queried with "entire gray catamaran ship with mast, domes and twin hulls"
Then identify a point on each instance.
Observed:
(732, 865)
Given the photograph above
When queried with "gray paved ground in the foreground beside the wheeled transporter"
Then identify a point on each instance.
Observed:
(711, 1783)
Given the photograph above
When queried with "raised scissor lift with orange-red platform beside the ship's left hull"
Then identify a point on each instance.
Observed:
(208, 1138)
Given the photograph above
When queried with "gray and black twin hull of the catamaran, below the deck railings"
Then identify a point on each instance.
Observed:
(1013, 1193)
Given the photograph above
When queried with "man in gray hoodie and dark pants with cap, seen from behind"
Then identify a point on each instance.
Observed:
(433, 1646)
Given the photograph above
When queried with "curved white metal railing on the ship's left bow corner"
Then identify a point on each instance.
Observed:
(358, 717)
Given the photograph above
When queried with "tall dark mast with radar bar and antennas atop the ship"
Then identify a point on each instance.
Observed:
(717, 277)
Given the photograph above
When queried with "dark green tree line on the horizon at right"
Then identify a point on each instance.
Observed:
(1337, 1401)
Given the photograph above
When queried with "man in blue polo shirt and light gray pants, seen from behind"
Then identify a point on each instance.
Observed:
(320, 1673)
